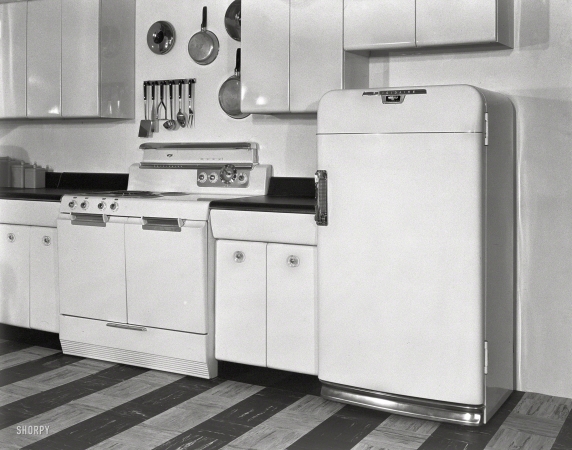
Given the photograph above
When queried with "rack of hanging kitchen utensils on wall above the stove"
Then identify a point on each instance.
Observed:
(159, 108)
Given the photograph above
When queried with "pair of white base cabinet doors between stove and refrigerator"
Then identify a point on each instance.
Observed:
(265, 305)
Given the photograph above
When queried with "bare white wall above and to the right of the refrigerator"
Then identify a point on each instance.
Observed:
(537, 76)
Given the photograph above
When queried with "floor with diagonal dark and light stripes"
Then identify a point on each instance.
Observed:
(94, 404)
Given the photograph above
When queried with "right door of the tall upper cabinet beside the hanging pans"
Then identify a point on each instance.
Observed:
(316, 51)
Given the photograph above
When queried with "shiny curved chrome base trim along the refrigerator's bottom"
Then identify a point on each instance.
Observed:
(408, 406)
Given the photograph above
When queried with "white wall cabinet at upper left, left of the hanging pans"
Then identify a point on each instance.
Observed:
(67, 59)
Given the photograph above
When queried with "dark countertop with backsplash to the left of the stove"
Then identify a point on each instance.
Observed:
(61, 183)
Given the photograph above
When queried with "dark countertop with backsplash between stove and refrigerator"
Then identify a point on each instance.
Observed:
(285, 195)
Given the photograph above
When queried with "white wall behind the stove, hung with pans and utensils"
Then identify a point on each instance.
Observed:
(286, 142)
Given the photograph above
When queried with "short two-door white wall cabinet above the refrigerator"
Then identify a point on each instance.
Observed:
(403, 24)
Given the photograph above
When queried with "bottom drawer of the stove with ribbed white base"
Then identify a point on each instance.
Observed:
(168, 350)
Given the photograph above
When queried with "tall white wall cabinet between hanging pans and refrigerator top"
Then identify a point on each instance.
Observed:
(292, 54)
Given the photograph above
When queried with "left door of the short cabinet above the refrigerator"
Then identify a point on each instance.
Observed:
(379, 24)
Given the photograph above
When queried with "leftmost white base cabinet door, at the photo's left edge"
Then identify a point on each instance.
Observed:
(15, 275)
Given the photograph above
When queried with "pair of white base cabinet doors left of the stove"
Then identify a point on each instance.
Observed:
(28, 276)
